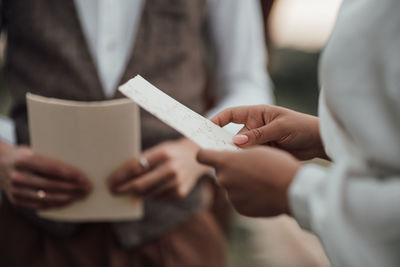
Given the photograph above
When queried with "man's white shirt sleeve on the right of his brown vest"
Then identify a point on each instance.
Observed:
(236, 29)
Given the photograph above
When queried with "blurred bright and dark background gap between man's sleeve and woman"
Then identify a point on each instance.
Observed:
(297, 31)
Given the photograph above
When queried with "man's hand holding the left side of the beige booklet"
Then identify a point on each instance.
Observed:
(35, 182)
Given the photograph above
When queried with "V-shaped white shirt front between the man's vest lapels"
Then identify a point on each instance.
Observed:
(110, 29)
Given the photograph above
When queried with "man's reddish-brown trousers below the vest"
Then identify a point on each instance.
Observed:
(198, 242)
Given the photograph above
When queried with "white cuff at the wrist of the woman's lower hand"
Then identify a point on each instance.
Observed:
(307, 180)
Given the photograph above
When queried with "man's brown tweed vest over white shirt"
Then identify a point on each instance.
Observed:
(47, 55)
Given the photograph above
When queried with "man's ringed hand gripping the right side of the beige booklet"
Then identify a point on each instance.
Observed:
(171, 173)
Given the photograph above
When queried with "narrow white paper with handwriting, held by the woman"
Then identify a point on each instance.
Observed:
(189, 123)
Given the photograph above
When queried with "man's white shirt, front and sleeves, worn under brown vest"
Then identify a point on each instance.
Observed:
(236, 28)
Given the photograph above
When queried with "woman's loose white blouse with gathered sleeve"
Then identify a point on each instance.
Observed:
(354, 206)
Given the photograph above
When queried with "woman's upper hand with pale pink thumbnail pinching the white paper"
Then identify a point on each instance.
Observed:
(295, 132)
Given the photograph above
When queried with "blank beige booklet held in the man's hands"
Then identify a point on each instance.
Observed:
(96, 137)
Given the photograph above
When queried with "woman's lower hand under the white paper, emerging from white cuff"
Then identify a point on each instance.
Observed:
(256, 179)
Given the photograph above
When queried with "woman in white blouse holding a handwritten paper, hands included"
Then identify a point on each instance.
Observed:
(353, 206)
